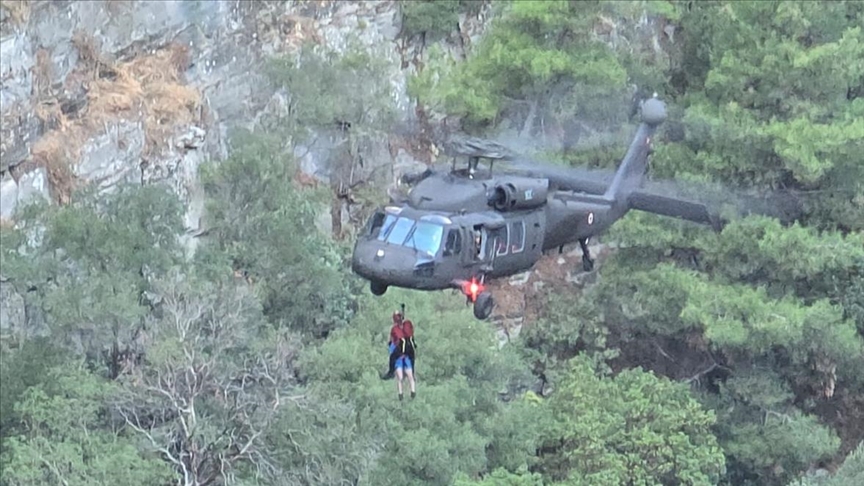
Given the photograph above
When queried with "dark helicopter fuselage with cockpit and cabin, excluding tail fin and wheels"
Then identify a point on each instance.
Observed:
(448, 232)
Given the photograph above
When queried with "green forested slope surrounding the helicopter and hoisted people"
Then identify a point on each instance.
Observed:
(697, 358)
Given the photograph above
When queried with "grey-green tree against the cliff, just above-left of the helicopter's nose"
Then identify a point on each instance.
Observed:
(341, 120)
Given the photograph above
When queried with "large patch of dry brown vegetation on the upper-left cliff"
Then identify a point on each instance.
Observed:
(149, 88)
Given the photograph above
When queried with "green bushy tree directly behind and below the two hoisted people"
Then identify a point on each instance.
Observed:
(456, 423)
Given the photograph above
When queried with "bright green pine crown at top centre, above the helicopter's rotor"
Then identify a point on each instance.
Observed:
(532, 48)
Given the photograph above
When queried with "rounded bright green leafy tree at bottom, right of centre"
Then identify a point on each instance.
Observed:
(633, 428)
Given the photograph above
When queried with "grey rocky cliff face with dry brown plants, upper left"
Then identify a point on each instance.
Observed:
(106, 92)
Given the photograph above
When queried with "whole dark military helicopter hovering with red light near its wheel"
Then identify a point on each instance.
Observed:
(460, 229)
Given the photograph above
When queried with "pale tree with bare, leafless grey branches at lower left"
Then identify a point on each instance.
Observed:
(210, 379)
